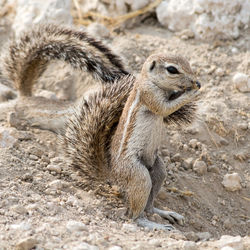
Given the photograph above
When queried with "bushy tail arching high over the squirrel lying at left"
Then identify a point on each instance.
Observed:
(28, 57)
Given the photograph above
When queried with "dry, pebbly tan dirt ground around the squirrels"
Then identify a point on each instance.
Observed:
(40, 198)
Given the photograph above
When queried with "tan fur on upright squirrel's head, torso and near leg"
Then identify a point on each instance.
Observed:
(132, 165)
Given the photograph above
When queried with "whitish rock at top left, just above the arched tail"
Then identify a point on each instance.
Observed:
(31, 12)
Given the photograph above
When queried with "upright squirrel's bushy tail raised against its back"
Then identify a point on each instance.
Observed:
(89, 131)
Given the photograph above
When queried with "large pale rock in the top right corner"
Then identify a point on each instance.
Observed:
(208, 19)
